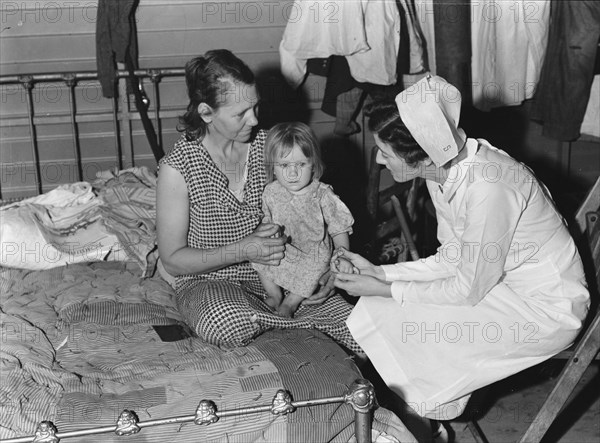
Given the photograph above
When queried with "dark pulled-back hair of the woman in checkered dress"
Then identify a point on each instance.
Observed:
(208, 78)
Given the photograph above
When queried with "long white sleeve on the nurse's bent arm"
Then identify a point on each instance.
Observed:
(492, 213)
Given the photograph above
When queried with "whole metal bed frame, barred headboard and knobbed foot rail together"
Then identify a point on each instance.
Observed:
(360, 395)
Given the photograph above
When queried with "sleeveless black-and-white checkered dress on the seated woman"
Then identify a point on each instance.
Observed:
(225, 307)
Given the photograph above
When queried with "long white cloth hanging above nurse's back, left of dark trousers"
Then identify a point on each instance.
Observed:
(508, 41)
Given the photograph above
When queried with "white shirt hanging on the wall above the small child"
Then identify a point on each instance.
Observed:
(367, 32)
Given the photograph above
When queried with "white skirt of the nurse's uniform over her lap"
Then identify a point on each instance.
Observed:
(435, 356)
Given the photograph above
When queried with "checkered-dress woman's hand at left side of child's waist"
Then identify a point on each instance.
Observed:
(265, 245)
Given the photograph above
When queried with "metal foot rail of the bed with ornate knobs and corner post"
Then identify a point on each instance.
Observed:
(360, 396)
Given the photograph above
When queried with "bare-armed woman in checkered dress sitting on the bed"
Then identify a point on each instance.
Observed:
(209, 199)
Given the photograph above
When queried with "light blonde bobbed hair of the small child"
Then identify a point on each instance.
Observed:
(281, 140)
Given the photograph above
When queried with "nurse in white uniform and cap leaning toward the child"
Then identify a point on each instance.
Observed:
(506, 288)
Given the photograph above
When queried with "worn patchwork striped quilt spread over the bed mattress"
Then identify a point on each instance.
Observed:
(81, 373)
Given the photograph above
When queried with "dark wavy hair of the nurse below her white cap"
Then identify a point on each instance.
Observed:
(385, 121)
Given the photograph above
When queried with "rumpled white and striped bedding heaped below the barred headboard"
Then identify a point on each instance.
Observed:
(112, 218)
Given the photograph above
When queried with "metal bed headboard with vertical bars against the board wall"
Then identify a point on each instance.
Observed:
(43, 116)
